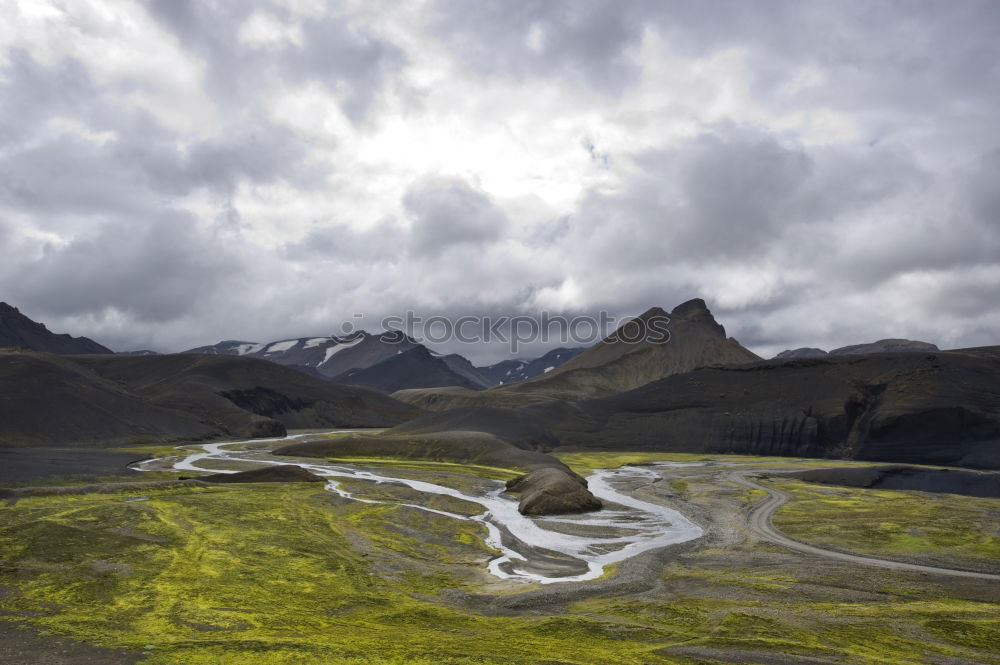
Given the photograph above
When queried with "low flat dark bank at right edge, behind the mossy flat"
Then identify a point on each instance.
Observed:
(901, 477)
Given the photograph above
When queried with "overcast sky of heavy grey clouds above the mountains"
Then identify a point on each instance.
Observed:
(178, 172)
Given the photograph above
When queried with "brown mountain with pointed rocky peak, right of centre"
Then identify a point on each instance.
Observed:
(651, 346)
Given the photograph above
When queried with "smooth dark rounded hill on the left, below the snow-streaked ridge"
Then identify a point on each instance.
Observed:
(106, 400)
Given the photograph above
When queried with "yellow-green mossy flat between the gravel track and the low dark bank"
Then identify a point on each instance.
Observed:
(944, 529)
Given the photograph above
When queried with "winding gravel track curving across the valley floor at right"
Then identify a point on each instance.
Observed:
(761, 526)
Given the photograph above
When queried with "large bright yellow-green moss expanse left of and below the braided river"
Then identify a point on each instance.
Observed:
(270, 574)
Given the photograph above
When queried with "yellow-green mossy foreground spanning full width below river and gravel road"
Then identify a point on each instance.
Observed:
(285, 573)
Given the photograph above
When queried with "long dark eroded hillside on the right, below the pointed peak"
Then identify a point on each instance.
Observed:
(938, 408)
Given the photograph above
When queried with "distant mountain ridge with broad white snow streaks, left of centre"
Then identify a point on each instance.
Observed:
(329, 356)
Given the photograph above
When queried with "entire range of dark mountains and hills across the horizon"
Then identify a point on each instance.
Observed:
(696, 390)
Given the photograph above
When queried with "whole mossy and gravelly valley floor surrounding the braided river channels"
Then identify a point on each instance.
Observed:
(288, 573)
